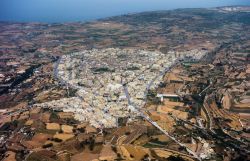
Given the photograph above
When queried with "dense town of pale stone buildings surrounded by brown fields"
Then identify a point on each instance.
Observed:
(111, 83)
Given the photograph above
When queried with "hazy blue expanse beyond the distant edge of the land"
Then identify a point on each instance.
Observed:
(87, 10)
